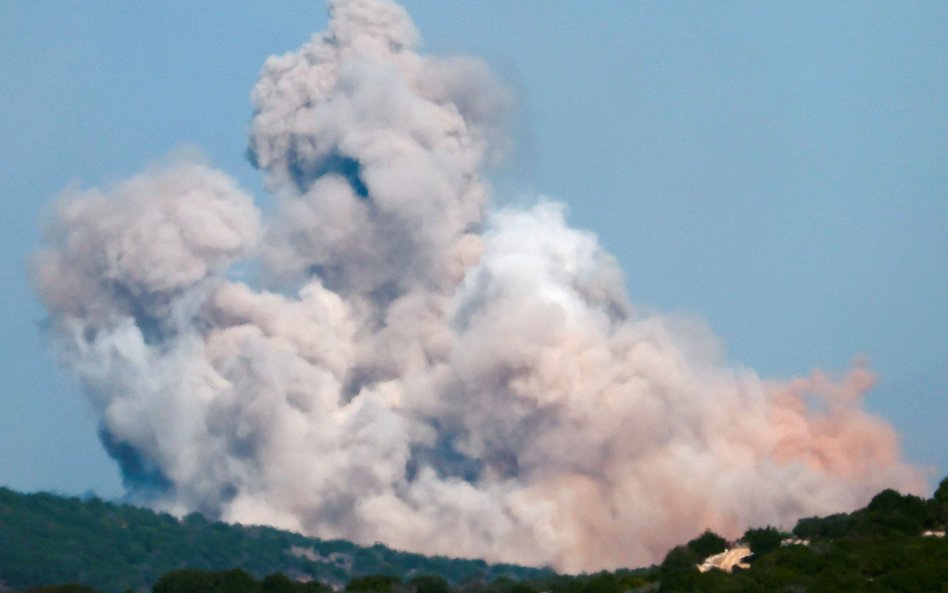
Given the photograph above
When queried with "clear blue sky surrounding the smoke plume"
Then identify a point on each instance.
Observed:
(776, 169)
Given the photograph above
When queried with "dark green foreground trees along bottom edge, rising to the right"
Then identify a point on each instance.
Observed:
(895, 544)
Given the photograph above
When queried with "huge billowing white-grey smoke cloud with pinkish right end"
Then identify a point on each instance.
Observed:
(409, 368)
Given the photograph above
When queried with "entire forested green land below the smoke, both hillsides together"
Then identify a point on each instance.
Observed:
(895, 544)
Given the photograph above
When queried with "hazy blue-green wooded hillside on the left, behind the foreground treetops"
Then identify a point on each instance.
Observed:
(46, 539)
